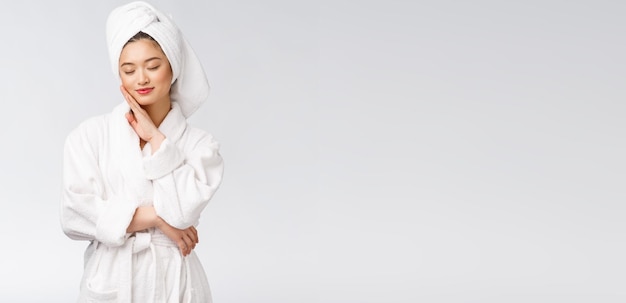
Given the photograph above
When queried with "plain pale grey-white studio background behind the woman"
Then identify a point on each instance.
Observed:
(439, 151)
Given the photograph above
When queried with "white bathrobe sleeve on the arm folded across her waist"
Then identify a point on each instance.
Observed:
(87, 212)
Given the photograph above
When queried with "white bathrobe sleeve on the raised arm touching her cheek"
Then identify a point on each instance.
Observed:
(184, 178)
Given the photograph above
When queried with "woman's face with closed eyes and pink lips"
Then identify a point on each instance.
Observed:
(145, 72)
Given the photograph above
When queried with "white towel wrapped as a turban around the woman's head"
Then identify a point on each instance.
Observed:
(190, 87)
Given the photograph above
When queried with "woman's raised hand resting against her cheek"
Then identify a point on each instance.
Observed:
(140, 121)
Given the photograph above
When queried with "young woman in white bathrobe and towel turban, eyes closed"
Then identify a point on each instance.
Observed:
(136, 180)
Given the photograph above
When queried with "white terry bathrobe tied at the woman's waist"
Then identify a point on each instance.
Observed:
(106, 176)
